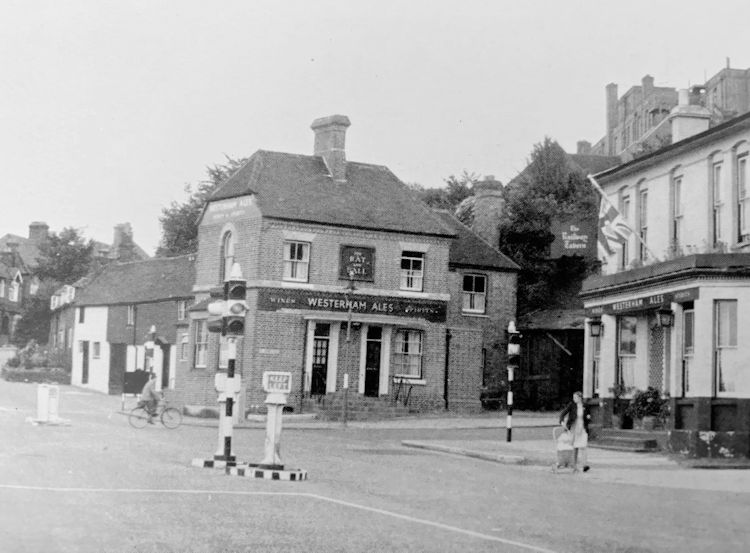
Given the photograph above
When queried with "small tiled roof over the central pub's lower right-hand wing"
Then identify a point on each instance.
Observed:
(469, 250)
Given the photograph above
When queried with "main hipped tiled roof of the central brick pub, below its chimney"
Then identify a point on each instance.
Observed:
(299, 188)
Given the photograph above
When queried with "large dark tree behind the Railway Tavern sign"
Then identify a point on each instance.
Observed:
(551, 186)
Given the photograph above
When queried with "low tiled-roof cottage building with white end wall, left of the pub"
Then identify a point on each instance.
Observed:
(101, 323)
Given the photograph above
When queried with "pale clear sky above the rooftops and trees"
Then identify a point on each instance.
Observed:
(108, 110)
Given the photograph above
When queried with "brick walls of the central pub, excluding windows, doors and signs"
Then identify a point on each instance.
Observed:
(276, 340)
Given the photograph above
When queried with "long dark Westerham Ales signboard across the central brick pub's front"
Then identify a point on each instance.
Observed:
(273, 299)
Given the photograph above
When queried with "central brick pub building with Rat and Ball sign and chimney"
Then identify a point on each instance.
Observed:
(347, 274)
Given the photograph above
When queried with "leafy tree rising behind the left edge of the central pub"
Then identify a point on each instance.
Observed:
(179, 221)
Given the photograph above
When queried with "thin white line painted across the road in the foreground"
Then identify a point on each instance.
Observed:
(291, 494)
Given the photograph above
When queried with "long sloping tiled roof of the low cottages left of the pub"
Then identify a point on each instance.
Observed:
(161, 278)
